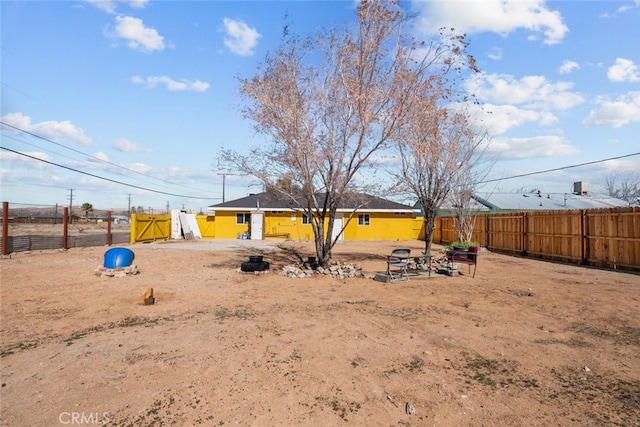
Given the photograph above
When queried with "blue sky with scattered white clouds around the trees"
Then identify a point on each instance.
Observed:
(128, 103)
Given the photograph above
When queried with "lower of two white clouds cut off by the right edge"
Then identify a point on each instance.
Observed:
(622, 111)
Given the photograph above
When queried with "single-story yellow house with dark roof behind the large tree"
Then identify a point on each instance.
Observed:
(266, 216)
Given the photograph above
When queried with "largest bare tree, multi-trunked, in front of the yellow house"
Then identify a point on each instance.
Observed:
(328, 105)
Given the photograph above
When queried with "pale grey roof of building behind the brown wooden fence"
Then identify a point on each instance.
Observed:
(546, 201)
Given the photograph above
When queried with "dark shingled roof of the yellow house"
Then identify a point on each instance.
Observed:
(271, 201)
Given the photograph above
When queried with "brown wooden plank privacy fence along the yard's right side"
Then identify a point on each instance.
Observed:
(599, 237)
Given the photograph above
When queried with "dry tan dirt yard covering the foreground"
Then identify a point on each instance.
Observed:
(524, 343)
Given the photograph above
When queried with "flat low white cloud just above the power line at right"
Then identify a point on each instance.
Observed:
(539, 146)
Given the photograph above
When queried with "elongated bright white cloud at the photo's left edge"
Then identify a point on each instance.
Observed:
(64, 131)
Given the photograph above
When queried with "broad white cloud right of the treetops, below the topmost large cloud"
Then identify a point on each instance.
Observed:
(529, 91)
